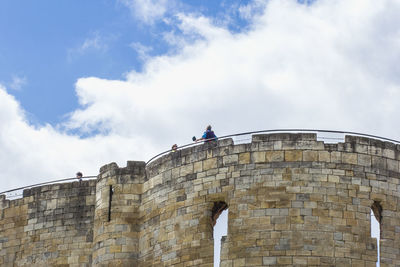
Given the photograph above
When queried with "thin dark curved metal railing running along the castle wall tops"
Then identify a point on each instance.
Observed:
(224, 137)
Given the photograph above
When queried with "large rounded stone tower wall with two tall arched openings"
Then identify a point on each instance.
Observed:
(292, 200)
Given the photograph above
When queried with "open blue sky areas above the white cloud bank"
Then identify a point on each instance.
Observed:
(47, 46)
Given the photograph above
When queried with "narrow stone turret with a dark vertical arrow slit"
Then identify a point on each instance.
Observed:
(116, 223)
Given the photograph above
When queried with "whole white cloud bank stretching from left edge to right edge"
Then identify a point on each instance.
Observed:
(330, 65)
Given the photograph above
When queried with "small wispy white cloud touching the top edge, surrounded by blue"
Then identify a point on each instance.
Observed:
(148, 11)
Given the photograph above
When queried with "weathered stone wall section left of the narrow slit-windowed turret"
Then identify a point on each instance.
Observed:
(50, 226)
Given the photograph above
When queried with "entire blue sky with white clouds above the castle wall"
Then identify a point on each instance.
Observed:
(85, 83)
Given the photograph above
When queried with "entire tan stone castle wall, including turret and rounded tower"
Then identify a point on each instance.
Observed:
(293, 201)
